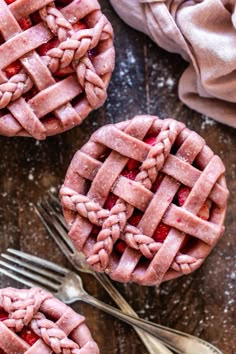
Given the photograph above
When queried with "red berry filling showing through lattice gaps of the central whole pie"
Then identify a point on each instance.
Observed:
(130, 171)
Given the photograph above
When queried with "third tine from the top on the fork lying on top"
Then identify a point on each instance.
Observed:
(38, 279)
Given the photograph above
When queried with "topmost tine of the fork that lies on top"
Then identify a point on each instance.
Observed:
(39, 261)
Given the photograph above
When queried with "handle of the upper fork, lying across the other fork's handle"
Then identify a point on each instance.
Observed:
(181, 343)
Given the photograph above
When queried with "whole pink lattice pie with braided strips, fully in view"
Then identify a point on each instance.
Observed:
(145, 200)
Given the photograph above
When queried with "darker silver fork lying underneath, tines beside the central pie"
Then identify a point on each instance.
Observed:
(49, 212)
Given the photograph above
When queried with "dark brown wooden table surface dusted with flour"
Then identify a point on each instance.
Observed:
(145, 81)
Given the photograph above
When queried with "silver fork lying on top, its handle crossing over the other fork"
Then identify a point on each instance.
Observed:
(68, 287)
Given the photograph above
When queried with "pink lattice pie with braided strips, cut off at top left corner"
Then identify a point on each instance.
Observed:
(56, 60)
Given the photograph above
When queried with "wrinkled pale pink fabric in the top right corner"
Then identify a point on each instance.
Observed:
(203, 32)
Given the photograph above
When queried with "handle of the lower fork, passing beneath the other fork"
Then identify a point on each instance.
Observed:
(152, 344)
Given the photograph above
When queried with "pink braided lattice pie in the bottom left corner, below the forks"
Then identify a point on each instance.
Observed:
(33, 321)
